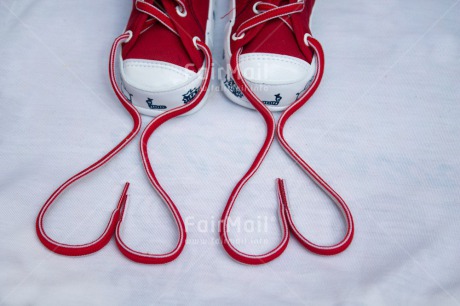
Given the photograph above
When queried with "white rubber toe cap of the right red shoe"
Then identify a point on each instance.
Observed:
(278, 80)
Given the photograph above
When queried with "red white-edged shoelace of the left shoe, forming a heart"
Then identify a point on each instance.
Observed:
(116, 218)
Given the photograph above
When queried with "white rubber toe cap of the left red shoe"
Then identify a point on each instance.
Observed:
(156, 86)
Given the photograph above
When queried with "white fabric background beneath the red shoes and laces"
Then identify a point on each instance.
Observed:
(383, 130)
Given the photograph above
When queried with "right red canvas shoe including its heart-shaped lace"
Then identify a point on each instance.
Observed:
(274, 64)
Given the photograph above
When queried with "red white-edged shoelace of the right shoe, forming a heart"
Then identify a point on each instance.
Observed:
(267, 12)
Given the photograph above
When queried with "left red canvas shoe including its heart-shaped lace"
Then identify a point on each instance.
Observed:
(166, 70)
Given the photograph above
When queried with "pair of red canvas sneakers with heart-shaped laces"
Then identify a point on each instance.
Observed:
(272, 64)
